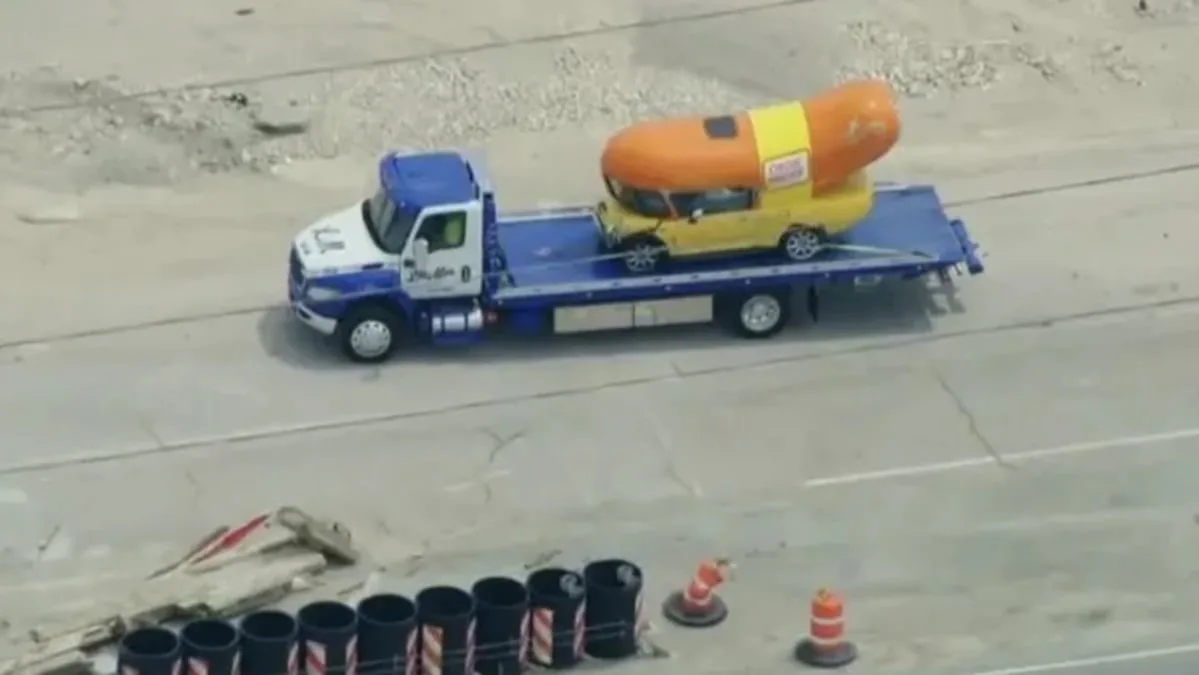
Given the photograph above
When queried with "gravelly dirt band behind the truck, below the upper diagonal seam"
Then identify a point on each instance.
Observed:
(983, 67)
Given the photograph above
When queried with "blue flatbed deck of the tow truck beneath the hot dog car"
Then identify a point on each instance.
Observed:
(559, 256)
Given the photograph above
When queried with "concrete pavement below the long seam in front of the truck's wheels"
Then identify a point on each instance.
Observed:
(1079, 540)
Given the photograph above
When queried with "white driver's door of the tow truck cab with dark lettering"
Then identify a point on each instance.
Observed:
(444, 258)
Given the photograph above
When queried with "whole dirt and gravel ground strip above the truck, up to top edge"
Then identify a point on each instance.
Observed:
(184, 97)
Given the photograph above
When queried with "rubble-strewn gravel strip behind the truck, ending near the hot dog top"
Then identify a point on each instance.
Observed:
(437, 103)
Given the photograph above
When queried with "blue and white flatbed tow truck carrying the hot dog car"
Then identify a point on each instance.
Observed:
(381, 274)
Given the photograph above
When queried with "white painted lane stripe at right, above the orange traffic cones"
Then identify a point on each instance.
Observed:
(1009, 459)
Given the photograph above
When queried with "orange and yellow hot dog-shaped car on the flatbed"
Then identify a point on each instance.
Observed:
(782, 177)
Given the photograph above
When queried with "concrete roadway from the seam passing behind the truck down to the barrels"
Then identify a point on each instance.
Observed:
(992, 485)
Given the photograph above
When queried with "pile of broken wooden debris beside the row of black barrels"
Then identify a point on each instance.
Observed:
(232, 571)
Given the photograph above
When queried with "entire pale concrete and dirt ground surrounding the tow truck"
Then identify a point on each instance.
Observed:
(1015, 465)
